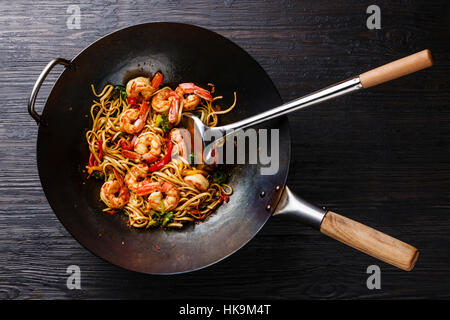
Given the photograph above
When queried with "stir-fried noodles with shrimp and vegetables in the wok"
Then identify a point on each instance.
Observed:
(136, 149)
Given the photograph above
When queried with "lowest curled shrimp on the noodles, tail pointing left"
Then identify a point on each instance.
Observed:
(161, 193)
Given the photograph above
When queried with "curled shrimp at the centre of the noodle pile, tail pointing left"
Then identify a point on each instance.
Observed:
(146, 147)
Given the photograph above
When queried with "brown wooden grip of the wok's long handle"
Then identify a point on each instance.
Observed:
(369, 241)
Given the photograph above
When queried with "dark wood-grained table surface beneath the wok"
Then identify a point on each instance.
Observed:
(380, 156)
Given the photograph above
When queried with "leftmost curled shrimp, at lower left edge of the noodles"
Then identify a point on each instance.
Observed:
(114, 193)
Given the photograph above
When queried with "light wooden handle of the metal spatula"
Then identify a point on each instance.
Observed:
(397, 69)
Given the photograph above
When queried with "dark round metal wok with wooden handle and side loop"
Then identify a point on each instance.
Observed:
(179, 52)
